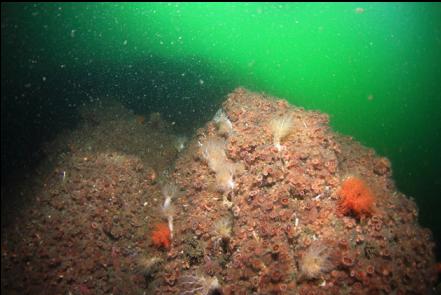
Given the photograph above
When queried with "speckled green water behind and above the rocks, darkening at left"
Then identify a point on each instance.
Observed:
(374, 67)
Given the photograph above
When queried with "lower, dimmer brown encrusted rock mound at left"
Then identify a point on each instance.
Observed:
(85, 229)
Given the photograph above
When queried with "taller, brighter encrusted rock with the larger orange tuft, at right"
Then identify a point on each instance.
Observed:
(304, 211)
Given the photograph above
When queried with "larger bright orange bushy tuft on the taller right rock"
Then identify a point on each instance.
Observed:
(356, 197)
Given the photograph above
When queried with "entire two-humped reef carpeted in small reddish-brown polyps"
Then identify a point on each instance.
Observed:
(263, 199)
